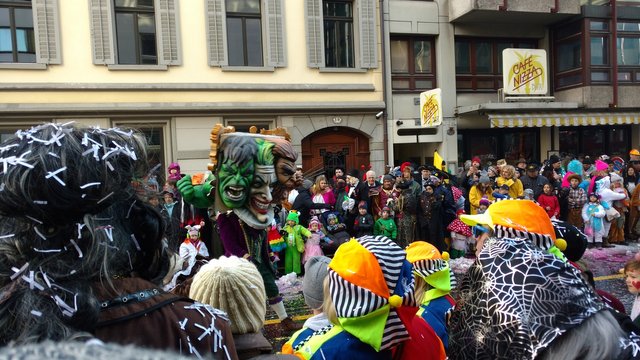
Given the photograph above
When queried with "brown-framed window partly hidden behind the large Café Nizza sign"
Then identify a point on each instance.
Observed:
(479, 61)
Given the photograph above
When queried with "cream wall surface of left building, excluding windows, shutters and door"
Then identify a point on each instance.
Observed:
(185, 101)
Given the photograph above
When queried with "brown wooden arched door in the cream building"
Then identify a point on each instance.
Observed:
(326, 149)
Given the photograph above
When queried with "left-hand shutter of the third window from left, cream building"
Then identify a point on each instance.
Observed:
(216, 24)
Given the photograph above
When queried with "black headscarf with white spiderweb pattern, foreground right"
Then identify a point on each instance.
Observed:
(515, 300)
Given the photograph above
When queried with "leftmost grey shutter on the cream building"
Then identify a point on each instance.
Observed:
(47, 31)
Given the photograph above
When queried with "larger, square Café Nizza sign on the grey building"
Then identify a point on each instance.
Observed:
(524, 72)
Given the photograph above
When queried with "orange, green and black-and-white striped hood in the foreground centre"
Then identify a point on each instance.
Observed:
(369, 278)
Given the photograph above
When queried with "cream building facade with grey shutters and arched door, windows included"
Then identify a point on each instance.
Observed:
(175, 68)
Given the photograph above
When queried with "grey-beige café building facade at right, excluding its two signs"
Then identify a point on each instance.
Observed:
(593, 63)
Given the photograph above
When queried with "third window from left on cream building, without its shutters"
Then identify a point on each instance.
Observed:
(244, 32)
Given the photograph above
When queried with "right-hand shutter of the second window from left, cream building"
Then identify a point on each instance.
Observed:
(167, 32)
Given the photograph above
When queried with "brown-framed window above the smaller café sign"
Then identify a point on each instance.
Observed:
(412, 64)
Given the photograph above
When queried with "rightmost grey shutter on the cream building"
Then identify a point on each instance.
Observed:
(367, 29)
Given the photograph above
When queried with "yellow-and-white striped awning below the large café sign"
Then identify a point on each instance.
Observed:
(540, 120)
